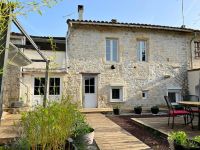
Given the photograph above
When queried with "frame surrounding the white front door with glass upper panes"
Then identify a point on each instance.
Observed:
(95, 75)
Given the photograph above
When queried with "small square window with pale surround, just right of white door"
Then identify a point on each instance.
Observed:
(116, 94)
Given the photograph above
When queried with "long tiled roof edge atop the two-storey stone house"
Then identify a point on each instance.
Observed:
(114, 23)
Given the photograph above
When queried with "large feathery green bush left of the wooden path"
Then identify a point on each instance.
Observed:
(50, 127)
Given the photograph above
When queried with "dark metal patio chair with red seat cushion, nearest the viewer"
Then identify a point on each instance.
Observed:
(173, 113)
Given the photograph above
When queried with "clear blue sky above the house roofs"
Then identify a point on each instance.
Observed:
(159, 12)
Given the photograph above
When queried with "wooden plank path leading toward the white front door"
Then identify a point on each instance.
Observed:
(110, 136)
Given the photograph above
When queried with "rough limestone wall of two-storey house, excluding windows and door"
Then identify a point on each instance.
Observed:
(167, 55)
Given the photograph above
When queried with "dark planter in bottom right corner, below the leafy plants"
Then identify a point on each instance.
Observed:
(182, 147)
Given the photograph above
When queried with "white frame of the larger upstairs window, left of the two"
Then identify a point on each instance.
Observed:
(112, 50)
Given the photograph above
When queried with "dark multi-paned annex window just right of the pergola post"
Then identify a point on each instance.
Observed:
(54, 86)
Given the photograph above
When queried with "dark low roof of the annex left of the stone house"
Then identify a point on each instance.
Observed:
(44, 43)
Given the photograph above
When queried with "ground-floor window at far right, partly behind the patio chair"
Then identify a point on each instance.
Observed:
(174, 95)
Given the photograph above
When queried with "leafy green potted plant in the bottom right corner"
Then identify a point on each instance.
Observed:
(179, 141)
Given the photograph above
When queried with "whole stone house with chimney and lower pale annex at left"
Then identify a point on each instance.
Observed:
(102, 64)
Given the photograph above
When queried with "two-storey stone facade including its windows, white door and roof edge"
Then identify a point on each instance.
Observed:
(128, 64)
